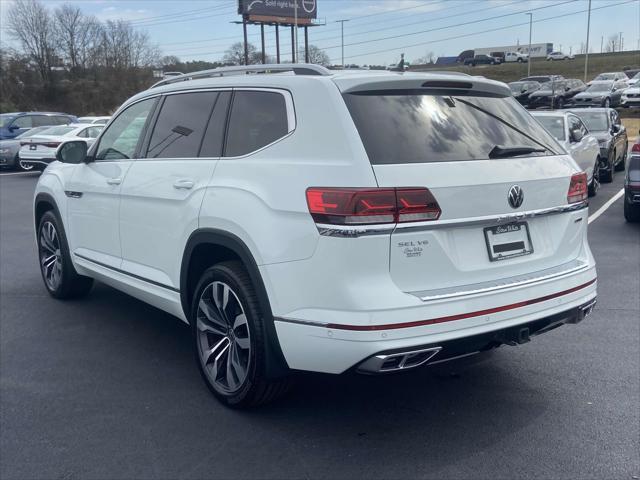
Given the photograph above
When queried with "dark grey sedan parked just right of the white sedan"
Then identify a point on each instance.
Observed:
(605, 125)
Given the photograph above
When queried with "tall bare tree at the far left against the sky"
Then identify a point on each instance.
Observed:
(31, 24)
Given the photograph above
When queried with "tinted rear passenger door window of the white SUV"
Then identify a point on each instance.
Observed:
(181, 124)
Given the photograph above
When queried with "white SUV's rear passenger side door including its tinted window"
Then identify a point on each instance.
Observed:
(162, 192)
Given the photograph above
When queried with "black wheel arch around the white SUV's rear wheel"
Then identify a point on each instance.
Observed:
(219, 245)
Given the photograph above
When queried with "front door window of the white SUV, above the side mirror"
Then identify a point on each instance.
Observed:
(121, 138)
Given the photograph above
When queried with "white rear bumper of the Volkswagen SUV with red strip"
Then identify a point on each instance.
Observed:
(472, 324)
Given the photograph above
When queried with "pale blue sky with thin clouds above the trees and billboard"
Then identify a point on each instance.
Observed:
(202, 29)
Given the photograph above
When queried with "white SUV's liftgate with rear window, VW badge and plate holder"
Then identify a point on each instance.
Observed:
(443, 142)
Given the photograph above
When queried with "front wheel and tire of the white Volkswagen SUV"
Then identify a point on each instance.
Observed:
(58, 273)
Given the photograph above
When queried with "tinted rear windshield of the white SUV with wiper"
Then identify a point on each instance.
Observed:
(407, 127)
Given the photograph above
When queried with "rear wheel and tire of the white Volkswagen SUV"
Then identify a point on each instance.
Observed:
(232, 329)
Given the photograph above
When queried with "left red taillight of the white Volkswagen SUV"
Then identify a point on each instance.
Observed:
(370, 206)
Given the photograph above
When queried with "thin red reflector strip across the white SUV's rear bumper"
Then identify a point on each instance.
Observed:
(460, 316)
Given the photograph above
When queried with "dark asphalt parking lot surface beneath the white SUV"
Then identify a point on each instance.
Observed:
(106, 387)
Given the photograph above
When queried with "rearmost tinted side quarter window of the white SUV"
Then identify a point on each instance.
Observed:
(257, 119)
